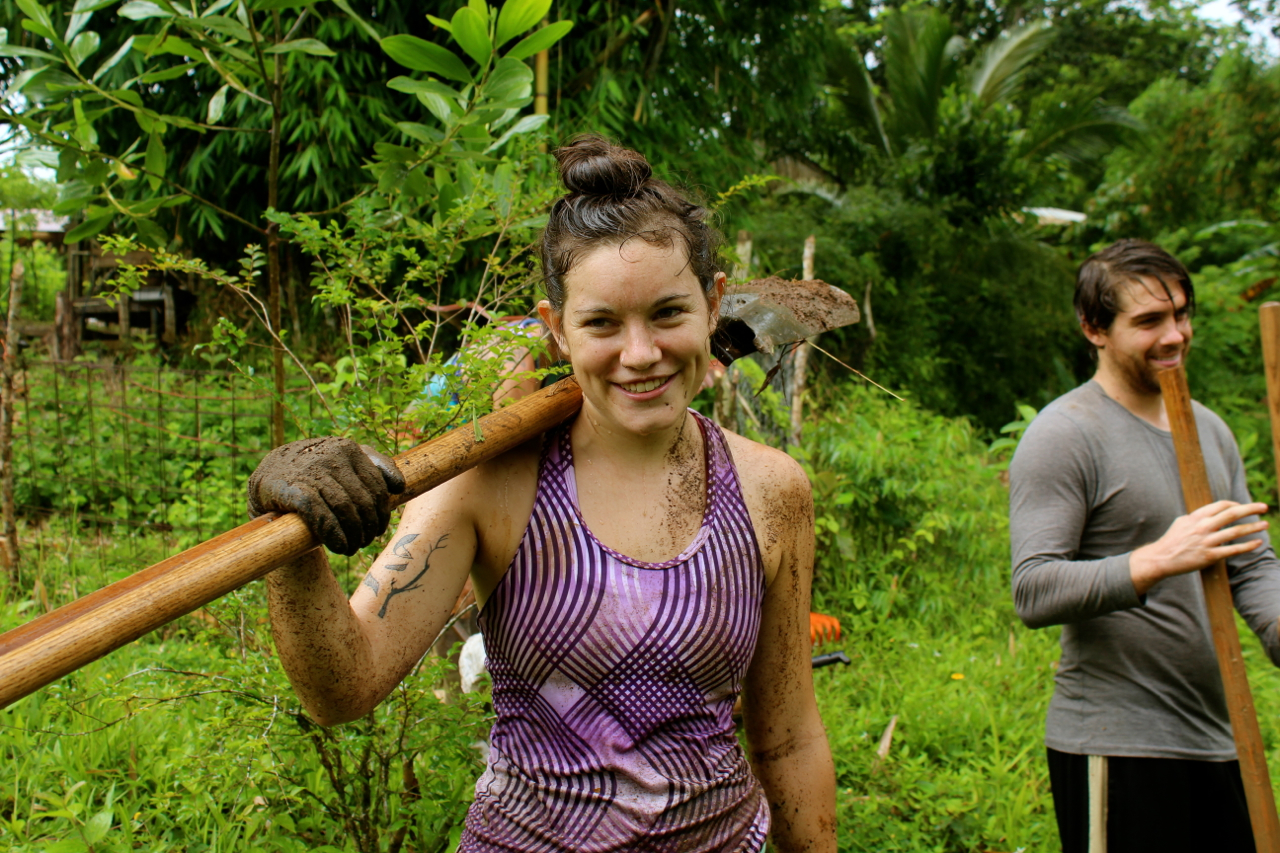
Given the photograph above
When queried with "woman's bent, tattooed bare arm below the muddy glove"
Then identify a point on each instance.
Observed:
(345, 658)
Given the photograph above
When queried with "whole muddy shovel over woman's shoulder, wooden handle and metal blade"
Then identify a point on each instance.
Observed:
(760, 317)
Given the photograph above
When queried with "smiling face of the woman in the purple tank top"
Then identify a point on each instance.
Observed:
(637, 329)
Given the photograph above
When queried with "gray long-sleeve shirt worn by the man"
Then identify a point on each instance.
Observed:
(1090, 483)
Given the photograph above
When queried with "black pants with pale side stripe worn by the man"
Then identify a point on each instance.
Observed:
(1158, 805)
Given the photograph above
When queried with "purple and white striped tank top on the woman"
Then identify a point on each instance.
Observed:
(614, 682)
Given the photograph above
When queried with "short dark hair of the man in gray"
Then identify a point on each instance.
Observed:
(1104, 276)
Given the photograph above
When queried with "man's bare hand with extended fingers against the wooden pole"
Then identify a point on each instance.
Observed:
(1196, 541)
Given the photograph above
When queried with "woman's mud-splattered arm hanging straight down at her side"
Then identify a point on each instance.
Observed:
(789, 745)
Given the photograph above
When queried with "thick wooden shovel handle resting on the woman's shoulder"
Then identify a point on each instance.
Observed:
(68, 638)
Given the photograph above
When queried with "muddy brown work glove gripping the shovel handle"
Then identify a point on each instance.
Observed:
(342, 490)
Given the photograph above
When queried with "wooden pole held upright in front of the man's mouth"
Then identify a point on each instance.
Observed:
(1222, 617)
